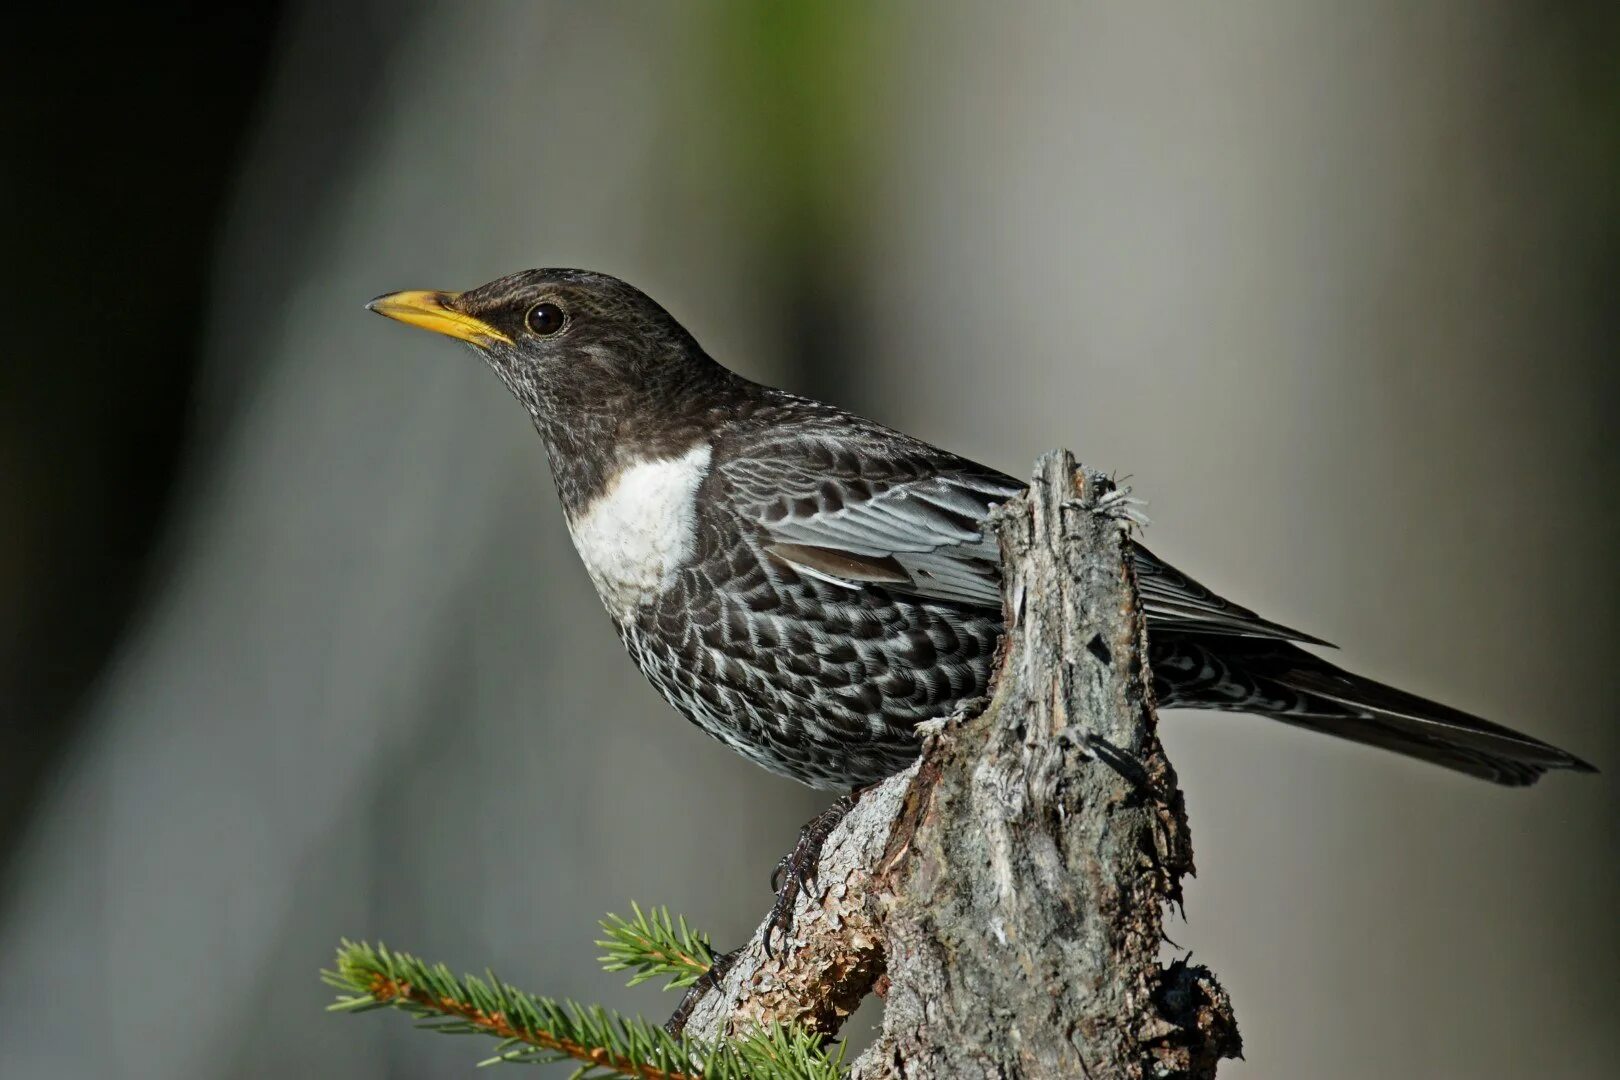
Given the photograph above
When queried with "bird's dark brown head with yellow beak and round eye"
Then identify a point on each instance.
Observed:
(561, 338)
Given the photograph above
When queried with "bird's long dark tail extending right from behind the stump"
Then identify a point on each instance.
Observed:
(1287, 684)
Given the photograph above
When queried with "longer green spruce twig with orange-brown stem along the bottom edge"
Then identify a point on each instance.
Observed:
(535, 1031)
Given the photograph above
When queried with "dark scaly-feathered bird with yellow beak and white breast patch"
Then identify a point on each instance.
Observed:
(809, 587)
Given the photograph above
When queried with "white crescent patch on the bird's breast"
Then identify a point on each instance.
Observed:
(641, 529)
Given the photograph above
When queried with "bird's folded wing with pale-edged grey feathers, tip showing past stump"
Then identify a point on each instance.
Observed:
(859, 506)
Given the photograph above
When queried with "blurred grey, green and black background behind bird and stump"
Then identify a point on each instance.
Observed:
(292, 640)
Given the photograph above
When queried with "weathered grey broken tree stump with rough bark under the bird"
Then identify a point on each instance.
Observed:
(1007, 895)
